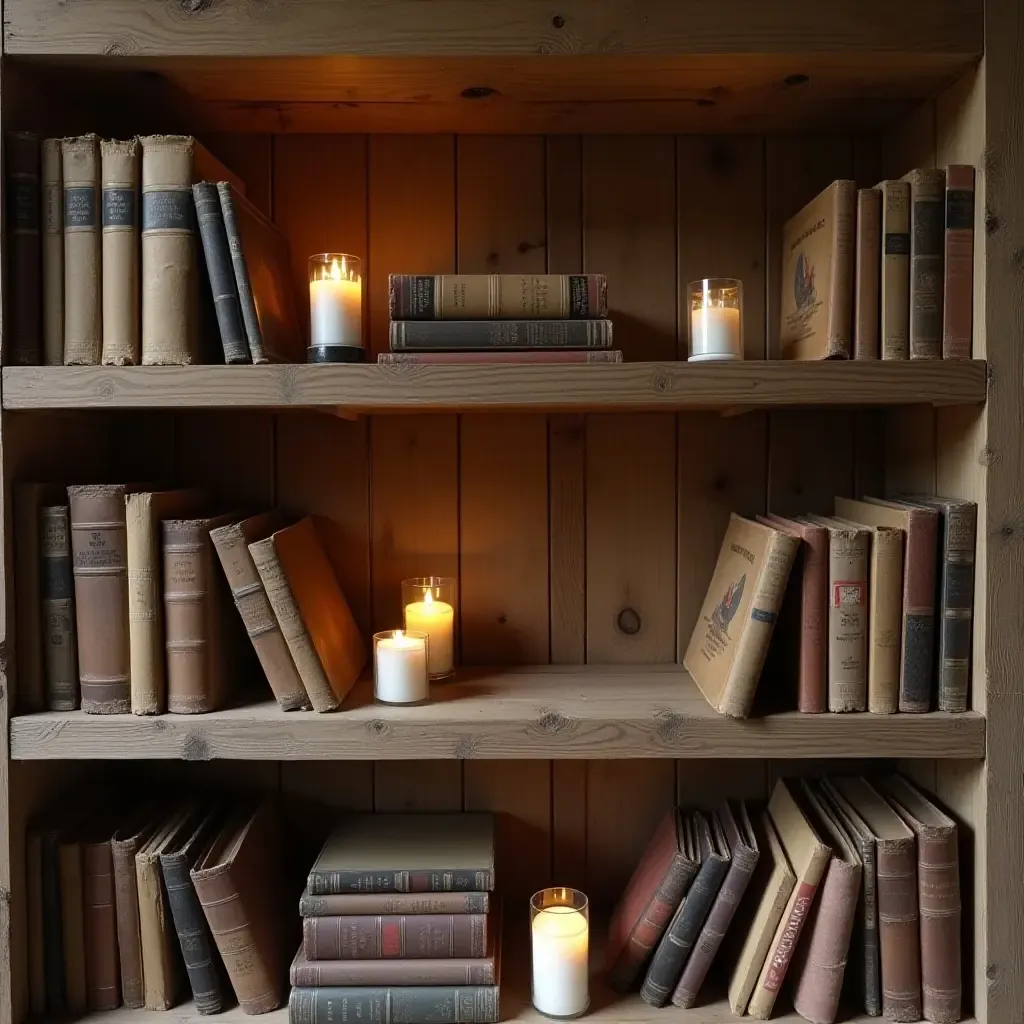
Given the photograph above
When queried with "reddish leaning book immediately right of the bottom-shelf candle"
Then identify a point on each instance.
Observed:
(651, 899)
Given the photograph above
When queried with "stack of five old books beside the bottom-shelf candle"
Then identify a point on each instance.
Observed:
(399, 923)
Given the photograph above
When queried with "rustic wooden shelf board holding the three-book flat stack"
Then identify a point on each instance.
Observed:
(627, 387)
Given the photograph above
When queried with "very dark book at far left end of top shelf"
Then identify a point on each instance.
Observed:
(24, 333)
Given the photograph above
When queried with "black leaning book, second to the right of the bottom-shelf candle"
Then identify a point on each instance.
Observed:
(681, 934)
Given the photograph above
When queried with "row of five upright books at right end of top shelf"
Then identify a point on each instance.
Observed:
(884, 273)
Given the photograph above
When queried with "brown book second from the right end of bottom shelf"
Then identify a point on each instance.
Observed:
(897, 887)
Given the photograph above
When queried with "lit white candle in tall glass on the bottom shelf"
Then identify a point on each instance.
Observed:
(561, 942)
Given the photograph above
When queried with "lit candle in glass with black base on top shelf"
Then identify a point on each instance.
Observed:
(335, 309)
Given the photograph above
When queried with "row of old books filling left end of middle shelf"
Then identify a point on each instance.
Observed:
(125, 604)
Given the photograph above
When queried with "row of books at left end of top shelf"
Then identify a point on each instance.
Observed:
(108, 267)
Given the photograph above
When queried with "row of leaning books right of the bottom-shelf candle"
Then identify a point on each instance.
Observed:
(843, 886)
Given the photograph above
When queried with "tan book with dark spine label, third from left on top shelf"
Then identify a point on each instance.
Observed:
(83, 259)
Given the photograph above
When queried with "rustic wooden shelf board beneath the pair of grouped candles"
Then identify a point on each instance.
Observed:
(545, 712)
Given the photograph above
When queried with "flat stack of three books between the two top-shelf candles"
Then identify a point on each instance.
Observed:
(500, 318)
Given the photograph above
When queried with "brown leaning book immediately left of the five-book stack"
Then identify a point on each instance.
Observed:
(238, 884)
